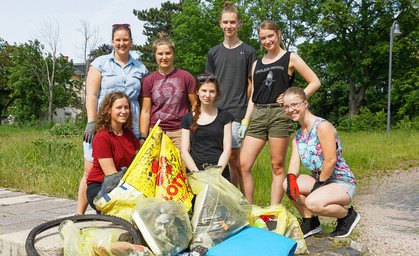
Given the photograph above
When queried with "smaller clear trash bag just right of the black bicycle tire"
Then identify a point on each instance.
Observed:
(165, 225)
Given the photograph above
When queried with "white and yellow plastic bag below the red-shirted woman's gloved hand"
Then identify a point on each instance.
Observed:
(120, 202)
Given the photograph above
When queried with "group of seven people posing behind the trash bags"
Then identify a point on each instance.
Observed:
(237, 105)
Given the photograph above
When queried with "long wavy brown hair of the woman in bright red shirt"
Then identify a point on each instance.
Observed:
(103, 118)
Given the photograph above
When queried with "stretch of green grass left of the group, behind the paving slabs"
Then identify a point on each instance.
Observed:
(34, 161)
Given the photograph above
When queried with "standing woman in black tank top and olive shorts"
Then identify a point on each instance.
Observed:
(271, 76)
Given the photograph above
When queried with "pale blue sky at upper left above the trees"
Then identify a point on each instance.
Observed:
(22, 20)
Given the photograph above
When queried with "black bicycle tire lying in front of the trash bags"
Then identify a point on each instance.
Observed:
(30, 240)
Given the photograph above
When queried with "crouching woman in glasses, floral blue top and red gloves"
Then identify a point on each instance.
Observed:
(331, 184)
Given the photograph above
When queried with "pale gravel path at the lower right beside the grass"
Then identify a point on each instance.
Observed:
(389, 209)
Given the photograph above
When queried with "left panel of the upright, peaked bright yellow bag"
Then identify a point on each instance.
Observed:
(142, 172)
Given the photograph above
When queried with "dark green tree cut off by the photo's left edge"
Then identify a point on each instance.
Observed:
(6, 64)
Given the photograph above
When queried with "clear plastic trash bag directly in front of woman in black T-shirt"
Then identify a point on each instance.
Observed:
(220, 210)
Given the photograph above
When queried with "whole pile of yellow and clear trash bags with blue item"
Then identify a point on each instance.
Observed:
(178, 214)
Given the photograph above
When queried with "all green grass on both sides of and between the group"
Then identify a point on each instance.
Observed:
(33, 160)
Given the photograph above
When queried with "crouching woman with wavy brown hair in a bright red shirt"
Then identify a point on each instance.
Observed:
(114, 145)
